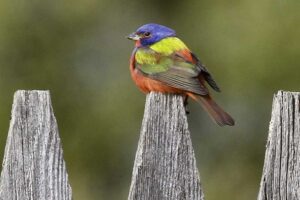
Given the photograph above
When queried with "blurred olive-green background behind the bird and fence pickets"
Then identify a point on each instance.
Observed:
(78, 51)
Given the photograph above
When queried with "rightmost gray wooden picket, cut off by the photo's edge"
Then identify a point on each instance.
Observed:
(281, 173)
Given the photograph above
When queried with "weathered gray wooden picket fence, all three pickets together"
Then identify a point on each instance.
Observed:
(165, 166)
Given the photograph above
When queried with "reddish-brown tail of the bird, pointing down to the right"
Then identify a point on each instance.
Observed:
(214, 110)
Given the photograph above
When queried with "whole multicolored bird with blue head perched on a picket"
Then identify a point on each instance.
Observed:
(161, 62)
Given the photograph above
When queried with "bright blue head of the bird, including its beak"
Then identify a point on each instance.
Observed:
(151, 33)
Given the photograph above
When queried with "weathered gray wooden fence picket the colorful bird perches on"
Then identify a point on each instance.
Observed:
(165, 166)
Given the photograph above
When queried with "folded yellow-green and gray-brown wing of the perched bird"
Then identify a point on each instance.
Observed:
(171, 70)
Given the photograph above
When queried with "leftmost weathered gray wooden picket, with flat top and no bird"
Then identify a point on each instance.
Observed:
(33, 165)
